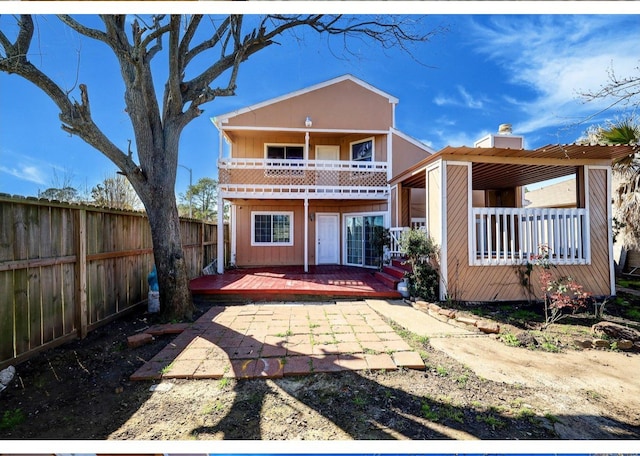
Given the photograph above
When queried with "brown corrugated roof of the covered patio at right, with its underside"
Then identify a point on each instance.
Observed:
(495, 168)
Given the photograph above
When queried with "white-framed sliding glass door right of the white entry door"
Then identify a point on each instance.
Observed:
(359, 249)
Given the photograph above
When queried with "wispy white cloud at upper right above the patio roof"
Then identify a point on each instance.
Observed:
(559, 57)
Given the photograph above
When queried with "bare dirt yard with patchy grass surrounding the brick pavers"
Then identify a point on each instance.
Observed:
(473, 388)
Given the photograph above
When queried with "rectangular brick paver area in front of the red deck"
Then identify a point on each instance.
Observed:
(279, 340)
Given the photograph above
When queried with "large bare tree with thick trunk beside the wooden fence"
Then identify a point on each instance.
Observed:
(157, 123)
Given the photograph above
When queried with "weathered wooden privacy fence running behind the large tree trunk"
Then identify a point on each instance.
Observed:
(66, 269)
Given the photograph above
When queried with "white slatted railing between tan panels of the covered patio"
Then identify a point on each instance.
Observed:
(508, 236)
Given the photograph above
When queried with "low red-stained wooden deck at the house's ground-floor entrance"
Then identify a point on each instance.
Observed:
(290, 283)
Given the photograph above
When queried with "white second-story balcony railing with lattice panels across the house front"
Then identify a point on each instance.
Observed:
(315, 179)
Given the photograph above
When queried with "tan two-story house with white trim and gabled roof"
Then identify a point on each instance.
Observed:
(307, 175)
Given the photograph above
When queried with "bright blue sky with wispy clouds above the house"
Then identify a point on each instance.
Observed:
(488, 69)
